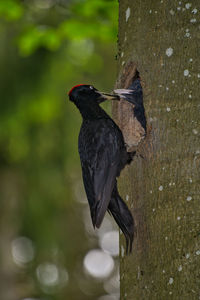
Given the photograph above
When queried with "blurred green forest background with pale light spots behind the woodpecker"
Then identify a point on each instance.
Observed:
(48, 248)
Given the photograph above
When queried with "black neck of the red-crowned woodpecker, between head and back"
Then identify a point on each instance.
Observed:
(92, 112)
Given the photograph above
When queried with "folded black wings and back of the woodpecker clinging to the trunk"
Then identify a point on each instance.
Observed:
(100, 148)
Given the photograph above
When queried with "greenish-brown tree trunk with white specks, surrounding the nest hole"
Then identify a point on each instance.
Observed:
(162, 187)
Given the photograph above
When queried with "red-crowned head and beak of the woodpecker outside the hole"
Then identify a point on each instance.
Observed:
(82, 93)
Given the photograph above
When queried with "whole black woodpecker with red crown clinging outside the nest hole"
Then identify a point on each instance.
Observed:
(103, 155)
